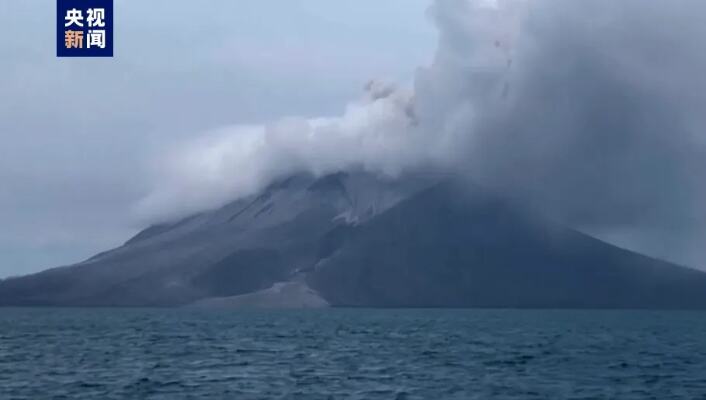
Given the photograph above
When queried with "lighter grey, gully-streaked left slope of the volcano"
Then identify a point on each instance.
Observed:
(245, 246)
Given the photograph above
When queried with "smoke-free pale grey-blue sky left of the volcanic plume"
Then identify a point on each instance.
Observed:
(77, 135)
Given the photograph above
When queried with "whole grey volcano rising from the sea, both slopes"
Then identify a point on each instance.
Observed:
(354, 239)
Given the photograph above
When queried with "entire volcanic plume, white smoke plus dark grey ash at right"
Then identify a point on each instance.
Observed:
(592, 111)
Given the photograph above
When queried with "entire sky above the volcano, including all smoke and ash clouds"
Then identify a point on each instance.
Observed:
(590, 112)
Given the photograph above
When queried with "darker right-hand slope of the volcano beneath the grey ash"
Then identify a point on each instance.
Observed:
(449, 246)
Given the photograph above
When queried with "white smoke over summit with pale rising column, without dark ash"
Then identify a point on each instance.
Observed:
(388, 131)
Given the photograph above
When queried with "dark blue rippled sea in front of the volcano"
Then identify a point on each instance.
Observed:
(351, 354)
